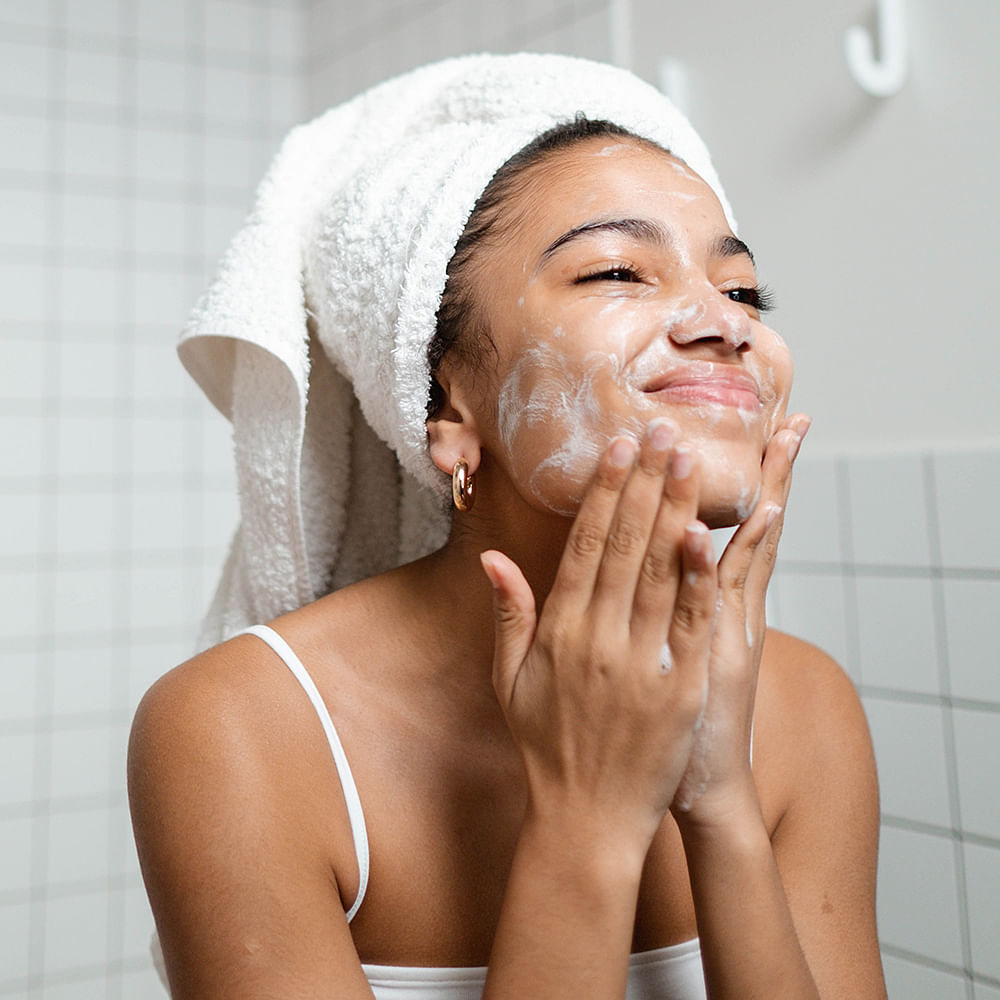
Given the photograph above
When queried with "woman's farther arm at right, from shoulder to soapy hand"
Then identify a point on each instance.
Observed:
(789, 915)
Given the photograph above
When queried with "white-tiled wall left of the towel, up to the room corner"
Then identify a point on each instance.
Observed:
(131, 134)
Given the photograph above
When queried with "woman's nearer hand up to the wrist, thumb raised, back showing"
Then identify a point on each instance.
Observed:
(604, 728)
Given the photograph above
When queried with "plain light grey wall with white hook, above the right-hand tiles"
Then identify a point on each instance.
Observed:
(874, 220)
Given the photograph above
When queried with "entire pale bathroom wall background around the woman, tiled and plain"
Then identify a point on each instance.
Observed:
(132, 134)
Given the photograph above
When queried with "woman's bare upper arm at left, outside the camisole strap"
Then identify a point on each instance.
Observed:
(234, 862)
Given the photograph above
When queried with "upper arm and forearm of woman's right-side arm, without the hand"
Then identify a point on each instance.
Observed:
(794, 914)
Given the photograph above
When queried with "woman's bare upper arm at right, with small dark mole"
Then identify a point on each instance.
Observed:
(818, 752)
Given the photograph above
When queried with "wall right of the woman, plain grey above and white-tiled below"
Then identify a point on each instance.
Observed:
(872, 219)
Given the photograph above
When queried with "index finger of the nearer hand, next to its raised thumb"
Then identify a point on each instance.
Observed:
(584, 549)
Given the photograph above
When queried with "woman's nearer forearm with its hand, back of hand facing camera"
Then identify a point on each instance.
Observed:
(604, 731)
